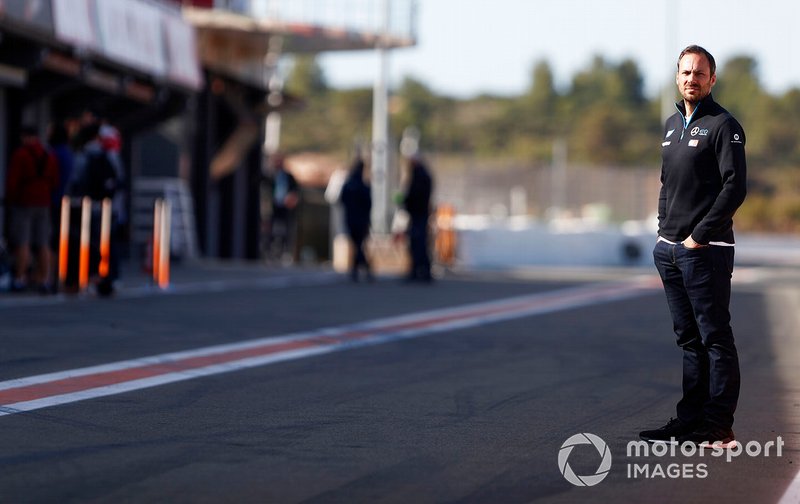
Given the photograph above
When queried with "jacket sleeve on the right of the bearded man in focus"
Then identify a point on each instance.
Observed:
(729, 147)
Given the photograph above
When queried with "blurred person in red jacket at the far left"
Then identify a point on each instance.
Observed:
(32, 178)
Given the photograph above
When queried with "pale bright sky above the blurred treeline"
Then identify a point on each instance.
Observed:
(471, 46)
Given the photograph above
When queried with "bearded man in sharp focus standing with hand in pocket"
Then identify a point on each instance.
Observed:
(703, 177)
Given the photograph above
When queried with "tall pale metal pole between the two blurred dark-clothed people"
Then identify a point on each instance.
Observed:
(380, 132)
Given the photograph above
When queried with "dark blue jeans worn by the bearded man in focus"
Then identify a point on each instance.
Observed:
(698, 287)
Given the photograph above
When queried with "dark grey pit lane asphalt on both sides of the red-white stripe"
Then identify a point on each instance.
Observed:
(472, 415)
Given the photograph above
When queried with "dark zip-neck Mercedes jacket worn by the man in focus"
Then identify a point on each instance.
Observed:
(703, 175)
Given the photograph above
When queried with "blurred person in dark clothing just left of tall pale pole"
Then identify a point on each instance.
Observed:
(356, 197)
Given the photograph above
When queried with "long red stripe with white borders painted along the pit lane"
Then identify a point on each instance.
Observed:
(52, 389)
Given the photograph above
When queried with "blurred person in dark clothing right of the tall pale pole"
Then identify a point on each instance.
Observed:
(417, 202)
